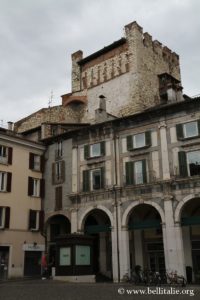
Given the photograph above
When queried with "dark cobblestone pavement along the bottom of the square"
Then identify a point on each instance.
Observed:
(51, 290)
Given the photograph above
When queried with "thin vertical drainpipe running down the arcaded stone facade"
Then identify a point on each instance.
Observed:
(116, 206)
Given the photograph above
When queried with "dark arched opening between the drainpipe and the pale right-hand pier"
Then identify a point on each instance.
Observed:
(146, 239)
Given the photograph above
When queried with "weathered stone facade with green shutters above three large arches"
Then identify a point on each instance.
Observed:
(133, 185)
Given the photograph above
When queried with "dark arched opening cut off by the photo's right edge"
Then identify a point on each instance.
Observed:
(190, 222)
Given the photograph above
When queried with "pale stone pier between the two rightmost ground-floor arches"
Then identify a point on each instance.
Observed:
(172, 239)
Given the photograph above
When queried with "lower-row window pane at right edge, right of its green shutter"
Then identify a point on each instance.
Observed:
(193, 162)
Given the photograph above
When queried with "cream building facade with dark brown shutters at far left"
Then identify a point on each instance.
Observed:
(21, 211)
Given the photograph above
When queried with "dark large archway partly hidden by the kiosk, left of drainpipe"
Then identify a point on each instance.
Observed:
(98, 225)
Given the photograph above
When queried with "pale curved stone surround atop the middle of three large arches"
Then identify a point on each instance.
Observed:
(136, 203)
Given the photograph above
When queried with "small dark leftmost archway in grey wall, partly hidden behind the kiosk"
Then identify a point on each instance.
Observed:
(55, 226)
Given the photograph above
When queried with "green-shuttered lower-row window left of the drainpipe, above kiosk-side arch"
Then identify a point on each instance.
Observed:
(93, 179)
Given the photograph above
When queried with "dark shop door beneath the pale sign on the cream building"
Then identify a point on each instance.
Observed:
(32, 263)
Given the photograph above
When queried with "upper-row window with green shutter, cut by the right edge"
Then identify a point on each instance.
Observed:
(188, 130)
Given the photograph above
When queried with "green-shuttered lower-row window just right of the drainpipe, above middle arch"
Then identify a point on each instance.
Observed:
(136, 172)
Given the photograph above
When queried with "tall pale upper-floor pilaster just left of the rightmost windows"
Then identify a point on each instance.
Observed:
(164, 151)
